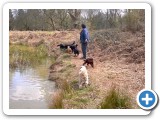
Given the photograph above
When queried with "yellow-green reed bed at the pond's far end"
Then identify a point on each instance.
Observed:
(21, 55)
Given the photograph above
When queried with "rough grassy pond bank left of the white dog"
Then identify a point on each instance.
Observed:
(66, 78)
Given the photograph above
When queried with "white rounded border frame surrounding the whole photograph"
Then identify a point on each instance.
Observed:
(8, 6)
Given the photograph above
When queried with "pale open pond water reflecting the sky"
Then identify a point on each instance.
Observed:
(30, 89)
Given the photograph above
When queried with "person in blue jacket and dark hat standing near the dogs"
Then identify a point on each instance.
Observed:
(84, 38)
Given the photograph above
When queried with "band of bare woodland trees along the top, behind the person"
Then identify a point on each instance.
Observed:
(62, 19)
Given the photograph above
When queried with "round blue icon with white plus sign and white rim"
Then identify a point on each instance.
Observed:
(147, 99)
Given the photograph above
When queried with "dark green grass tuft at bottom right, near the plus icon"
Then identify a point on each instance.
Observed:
(115, 100)
